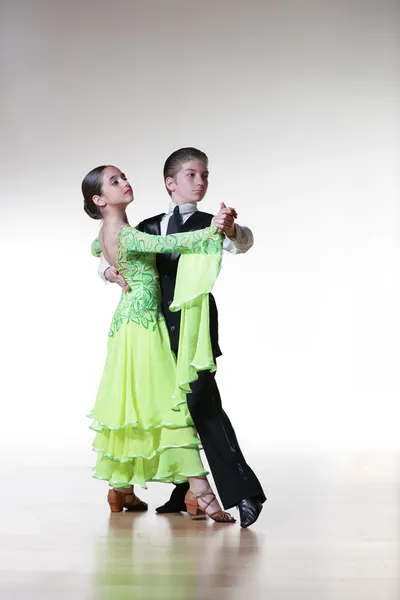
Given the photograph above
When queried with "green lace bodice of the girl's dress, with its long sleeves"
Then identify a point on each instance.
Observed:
(136, 262)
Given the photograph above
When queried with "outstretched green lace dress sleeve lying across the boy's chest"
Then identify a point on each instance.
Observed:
(202, 241)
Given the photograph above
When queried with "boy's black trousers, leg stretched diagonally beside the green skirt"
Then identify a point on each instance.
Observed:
(233, 477)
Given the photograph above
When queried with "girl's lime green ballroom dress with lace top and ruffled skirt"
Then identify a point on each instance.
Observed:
(144, 431)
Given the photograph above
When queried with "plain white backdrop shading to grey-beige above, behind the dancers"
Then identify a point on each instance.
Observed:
(296, 105)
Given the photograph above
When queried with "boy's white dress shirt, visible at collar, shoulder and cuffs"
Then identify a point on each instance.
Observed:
(242, 242)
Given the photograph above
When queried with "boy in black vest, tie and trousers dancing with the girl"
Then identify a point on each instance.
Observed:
(186, 181)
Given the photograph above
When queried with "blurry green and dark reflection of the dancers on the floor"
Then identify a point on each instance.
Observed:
(160, 557)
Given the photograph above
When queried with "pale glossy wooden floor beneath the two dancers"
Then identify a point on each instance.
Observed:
(329, 530)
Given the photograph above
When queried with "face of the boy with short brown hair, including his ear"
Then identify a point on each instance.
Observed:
(190, 183)
